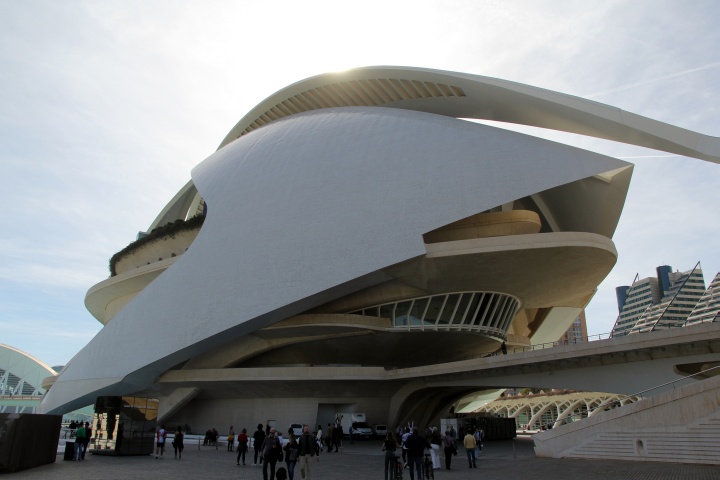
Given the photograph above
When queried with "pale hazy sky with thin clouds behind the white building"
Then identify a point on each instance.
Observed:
(106, 106)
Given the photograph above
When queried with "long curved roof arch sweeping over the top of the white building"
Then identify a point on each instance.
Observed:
(463, 95)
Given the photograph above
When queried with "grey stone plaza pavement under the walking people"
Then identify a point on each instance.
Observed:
(500, 460)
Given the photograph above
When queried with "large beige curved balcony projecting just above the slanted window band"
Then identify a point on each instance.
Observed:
(542, 270)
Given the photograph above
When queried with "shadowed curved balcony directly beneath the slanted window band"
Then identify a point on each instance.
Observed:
(343, 338)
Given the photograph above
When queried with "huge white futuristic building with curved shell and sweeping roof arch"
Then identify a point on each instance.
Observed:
(357, 231)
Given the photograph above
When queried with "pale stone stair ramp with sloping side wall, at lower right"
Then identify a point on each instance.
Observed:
(679, 426)
